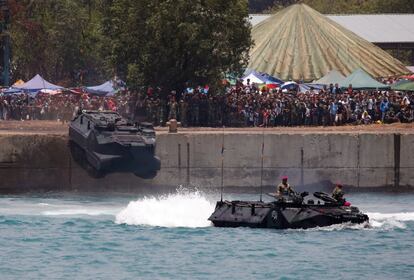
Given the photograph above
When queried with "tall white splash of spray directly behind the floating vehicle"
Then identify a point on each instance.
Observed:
(181, 209)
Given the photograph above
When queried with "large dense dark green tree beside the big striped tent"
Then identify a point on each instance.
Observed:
(173, 43)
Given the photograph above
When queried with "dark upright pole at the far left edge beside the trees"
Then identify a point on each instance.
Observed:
(5, 41)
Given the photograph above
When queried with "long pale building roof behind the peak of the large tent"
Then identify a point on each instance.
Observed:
(378, 28)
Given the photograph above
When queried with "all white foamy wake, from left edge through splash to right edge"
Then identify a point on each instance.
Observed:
(185, 208)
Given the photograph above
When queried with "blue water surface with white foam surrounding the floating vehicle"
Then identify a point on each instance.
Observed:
(66, 236)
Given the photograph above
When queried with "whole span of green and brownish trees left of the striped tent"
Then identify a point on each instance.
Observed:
(147, 42)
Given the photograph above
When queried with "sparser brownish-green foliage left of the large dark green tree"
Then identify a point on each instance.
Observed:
(57, 38)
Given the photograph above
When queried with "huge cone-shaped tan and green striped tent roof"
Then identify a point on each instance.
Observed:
(299, 43)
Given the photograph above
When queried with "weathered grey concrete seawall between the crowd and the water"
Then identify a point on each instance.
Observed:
(36, 162)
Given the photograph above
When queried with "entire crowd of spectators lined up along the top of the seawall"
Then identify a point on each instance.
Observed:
(237, 106)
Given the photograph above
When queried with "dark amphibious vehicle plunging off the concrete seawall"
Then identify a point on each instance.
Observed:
(104, 142)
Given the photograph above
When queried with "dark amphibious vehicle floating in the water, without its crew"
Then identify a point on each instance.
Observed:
(286, 212)
